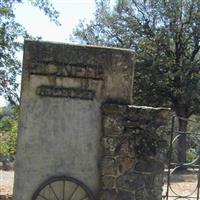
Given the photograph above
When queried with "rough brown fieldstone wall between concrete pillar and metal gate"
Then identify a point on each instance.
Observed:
(133, 148)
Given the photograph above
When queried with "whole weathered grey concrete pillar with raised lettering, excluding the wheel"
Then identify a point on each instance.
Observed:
(63, 87)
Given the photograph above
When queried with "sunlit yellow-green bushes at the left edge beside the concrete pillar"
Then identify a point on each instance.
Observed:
(8, 134)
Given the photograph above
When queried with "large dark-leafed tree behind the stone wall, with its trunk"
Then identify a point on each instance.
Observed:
(165, 36)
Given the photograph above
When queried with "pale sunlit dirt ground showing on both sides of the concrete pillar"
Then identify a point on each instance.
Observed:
(181, 184)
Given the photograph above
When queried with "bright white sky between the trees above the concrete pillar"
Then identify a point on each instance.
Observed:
(37, 24)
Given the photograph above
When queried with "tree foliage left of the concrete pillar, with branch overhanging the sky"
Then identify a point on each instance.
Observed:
(10, 32)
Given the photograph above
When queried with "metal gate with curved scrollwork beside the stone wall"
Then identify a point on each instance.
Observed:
(182, 180)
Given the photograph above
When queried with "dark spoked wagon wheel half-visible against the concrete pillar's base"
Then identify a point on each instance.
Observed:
(63, 188)
